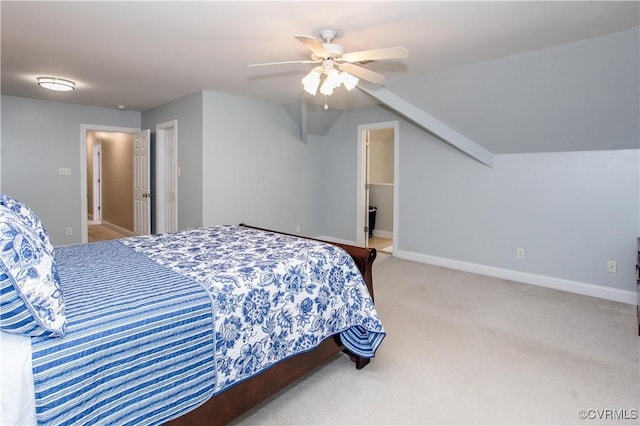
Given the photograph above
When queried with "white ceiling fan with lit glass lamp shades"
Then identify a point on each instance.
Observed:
(335, 67)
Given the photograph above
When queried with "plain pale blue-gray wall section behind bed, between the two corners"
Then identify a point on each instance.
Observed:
(256, 169)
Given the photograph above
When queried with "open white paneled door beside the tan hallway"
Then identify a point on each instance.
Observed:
(141, 183)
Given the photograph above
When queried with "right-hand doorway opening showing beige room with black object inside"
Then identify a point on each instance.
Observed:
(377, 186)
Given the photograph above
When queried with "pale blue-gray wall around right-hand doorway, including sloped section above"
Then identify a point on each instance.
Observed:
(571, 211)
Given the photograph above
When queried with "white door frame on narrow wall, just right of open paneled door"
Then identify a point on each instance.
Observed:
(161, 172)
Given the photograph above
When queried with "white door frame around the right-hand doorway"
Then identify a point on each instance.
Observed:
(362, 211)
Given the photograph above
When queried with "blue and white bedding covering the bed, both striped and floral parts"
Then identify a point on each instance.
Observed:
(158, 324)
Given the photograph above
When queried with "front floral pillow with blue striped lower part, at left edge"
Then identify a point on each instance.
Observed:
(32, 303)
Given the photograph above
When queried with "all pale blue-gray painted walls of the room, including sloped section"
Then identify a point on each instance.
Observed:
(570, 211)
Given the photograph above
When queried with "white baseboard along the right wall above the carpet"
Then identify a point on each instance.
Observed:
(586, 289)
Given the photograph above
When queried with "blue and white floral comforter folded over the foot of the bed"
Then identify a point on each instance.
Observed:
(274, 295)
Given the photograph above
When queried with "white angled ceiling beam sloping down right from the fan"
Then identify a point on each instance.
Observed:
(428, 122)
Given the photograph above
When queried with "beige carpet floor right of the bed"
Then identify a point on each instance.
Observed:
(467, 349)
